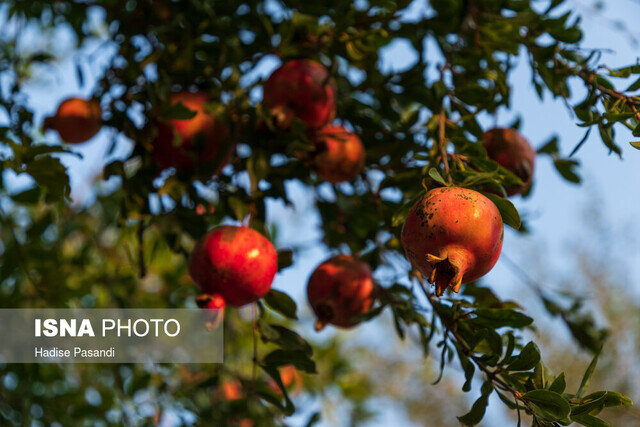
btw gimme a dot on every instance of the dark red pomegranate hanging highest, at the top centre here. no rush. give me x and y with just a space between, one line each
301 89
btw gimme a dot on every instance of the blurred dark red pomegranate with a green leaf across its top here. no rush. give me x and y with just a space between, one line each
201 139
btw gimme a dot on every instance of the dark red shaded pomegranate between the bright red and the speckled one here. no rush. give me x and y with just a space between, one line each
340 289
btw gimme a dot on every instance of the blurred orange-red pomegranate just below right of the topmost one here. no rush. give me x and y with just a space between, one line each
340 154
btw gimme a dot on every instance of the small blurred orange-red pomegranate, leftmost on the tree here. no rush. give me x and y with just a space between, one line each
76 120
